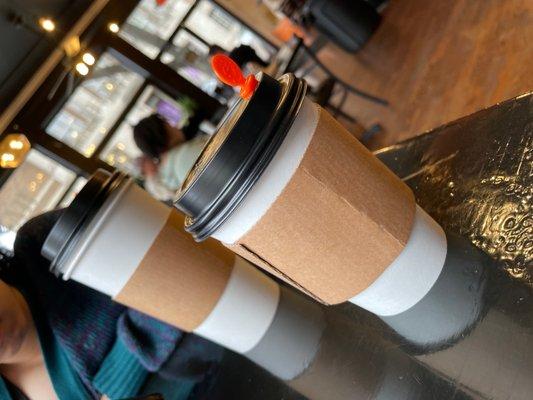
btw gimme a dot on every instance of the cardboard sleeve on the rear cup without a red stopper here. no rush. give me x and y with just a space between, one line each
179 281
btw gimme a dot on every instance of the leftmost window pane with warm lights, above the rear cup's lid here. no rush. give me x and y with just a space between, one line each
33 188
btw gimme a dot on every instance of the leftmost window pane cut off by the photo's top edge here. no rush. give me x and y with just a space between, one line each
150 25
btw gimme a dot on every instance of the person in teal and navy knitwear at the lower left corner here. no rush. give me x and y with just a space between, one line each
61 340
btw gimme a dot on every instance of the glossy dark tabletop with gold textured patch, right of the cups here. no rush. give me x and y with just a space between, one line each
475 177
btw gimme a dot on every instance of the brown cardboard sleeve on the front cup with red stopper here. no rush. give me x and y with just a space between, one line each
338 224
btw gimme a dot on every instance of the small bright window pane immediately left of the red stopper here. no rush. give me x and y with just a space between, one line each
190 58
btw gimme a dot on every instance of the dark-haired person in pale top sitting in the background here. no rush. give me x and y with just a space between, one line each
168 154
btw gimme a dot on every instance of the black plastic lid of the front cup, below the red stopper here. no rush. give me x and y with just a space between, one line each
238 153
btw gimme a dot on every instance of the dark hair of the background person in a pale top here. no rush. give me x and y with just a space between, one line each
151 137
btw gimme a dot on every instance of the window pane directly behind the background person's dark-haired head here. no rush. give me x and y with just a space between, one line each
121 151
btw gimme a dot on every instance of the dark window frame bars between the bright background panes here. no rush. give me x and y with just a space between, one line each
51 96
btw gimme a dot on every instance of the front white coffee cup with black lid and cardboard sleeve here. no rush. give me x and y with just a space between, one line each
284 185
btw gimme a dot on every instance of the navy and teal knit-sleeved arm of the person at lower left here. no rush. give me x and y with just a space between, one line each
90 327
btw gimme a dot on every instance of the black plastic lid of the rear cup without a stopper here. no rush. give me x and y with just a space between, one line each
67 230
